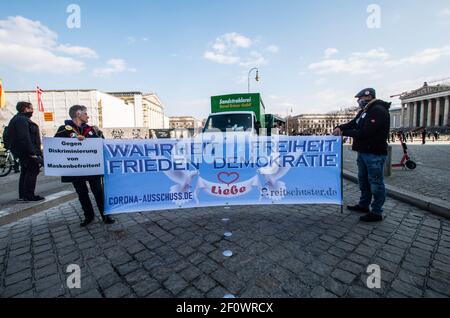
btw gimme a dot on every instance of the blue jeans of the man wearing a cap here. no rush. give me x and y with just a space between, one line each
371 181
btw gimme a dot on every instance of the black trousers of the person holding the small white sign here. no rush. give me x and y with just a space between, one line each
83 195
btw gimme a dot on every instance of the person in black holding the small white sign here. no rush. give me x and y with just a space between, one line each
78 128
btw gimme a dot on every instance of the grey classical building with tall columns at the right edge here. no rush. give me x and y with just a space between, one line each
425 107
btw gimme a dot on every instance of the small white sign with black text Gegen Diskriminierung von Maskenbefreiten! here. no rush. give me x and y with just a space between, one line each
71 157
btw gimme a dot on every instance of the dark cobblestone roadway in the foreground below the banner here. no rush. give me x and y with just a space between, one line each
278 251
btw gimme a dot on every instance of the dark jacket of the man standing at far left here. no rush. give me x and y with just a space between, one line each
24 137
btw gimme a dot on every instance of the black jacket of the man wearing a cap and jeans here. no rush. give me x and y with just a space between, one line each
370 128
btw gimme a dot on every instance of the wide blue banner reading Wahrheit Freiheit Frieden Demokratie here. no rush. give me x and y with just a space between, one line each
148 175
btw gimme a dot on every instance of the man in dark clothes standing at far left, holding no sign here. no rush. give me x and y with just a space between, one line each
25 144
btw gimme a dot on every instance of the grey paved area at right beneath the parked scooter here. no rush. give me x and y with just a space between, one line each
430 178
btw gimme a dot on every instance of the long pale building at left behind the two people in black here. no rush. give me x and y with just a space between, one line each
106 110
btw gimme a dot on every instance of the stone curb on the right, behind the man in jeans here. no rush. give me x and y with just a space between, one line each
435 206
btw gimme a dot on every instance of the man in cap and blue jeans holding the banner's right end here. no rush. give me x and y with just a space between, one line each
369 130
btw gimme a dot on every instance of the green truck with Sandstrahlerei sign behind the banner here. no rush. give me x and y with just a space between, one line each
236 113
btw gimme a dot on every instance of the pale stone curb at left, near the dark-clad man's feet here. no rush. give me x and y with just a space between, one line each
13 214
